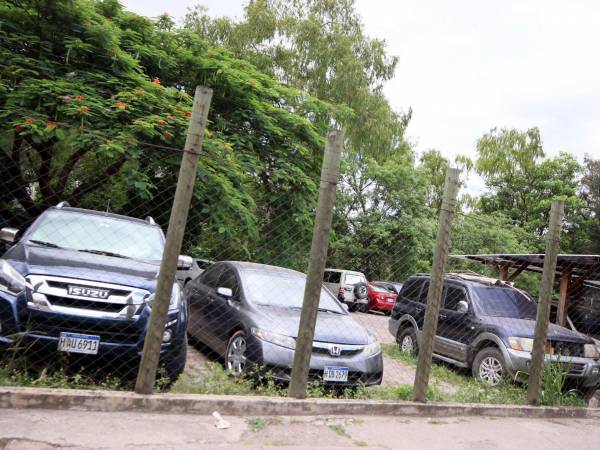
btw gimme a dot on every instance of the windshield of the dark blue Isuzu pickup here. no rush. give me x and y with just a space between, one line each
99 235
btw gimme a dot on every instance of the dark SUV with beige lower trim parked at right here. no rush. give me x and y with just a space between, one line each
488 326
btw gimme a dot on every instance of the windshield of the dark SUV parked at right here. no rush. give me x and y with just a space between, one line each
499 301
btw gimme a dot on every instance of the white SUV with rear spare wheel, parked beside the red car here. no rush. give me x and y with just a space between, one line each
349 286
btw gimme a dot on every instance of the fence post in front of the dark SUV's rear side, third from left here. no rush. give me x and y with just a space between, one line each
436 285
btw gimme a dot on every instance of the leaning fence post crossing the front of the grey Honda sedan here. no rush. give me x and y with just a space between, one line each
316 266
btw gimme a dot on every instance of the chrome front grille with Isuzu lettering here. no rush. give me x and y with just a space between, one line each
85 298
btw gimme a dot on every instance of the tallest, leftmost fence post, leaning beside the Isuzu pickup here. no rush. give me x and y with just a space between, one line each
179 212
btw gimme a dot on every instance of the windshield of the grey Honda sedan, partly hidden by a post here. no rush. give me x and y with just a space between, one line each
284 289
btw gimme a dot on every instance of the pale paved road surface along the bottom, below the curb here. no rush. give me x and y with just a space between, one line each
41 430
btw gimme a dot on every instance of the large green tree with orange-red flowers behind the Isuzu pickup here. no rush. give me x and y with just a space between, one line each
93 100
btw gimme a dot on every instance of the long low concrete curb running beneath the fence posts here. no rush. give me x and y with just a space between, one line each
111 401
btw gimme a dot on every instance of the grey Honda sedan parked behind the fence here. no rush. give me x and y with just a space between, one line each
249 313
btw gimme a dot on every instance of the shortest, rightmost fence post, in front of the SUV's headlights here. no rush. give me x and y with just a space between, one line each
536 370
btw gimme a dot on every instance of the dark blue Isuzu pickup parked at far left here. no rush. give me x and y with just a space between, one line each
83 282
